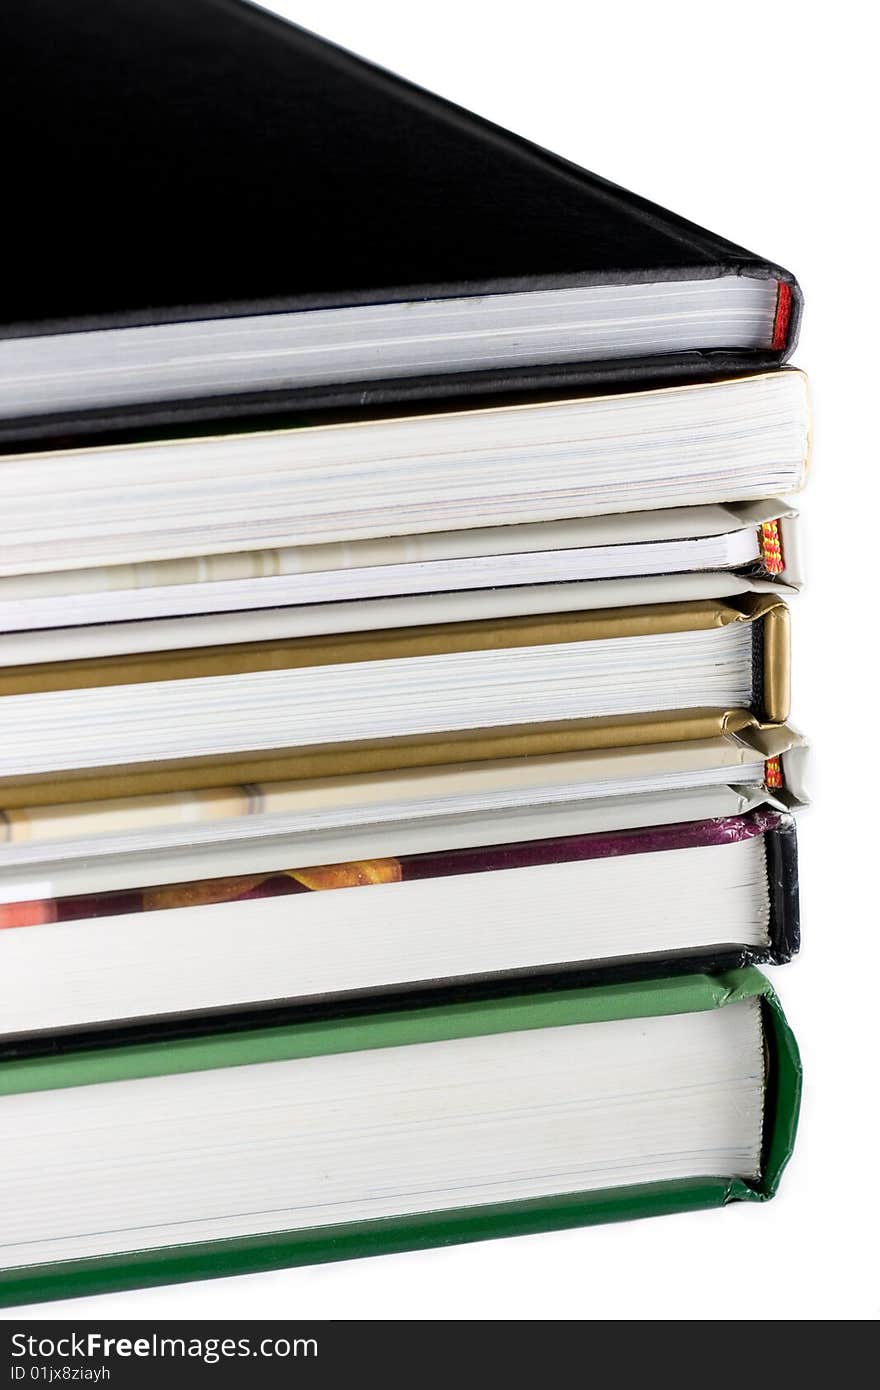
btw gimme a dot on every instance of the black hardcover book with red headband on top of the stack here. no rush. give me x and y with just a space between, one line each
379 244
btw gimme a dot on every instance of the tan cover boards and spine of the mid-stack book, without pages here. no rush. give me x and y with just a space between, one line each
469 746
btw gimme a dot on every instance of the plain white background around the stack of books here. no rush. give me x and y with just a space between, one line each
758 122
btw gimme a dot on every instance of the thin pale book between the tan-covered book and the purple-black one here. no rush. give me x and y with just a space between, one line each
173 837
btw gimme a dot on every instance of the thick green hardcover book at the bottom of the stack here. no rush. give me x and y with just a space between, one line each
326 1140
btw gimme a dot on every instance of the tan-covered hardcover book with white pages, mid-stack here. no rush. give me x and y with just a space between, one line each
364 703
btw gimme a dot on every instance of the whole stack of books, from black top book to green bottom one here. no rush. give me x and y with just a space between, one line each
398 529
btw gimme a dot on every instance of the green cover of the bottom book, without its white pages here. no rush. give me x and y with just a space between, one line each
651 999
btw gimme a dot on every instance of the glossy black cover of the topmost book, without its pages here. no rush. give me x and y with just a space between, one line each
202 159
